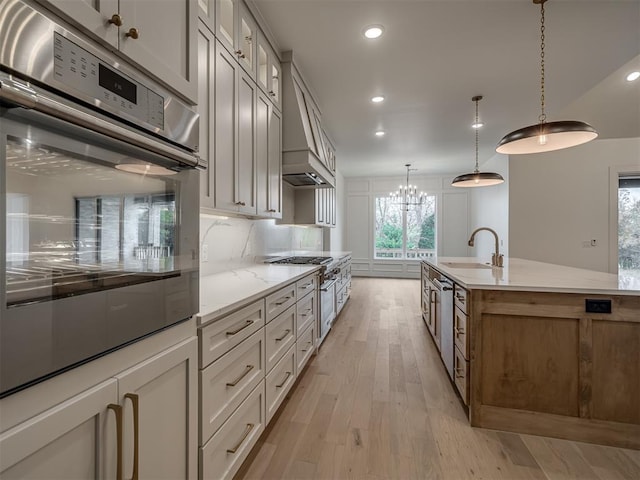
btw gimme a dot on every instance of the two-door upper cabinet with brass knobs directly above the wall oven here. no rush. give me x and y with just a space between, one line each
158 36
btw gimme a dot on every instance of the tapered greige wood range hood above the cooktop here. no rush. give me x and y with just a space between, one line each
308 156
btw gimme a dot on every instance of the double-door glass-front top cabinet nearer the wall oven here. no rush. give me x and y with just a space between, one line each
238 32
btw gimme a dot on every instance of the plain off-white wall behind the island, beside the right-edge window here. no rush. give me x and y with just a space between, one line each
560 200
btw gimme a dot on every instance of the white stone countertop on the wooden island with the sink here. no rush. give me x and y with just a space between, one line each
527 275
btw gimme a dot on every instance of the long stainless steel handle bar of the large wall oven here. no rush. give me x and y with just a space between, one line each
25 96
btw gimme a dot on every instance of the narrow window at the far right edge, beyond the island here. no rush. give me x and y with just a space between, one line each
629 228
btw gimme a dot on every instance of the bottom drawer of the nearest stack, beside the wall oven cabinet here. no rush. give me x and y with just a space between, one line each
222 456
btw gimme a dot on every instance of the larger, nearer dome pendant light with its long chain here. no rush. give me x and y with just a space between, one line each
545 136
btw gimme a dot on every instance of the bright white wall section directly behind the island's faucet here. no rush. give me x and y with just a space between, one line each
489 207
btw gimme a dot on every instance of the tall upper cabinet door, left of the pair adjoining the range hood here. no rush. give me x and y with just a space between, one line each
262 154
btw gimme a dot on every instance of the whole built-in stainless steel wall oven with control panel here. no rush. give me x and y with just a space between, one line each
99 201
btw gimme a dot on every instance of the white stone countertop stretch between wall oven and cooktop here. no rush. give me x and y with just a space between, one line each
227 291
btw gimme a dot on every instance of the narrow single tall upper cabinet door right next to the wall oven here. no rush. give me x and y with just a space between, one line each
206 76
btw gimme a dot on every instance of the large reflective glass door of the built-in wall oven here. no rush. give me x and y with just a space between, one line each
100 243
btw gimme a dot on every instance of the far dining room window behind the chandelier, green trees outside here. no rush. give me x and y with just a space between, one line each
405 232
